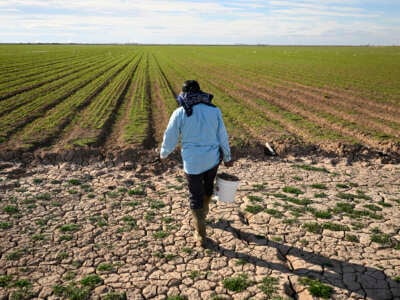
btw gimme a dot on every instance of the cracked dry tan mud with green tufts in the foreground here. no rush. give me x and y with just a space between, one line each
294 218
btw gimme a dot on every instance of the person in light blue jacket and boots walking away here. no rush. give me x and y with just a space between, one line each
204 144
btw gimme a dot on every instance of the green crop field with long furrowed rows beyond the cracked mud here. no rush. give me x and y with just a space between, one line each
109 98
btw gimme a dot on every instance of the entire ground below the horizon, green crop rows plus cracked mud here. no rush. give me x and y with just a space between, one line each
88 211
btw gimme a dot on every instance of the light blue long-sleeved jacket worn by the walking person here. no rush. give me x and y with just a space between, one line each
202 135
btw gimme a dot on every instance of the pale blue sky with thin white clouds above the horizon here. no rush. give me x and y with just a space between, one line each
273 22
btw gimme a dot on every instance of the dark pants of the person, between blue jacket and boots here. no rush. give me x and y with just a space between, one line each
201 185
